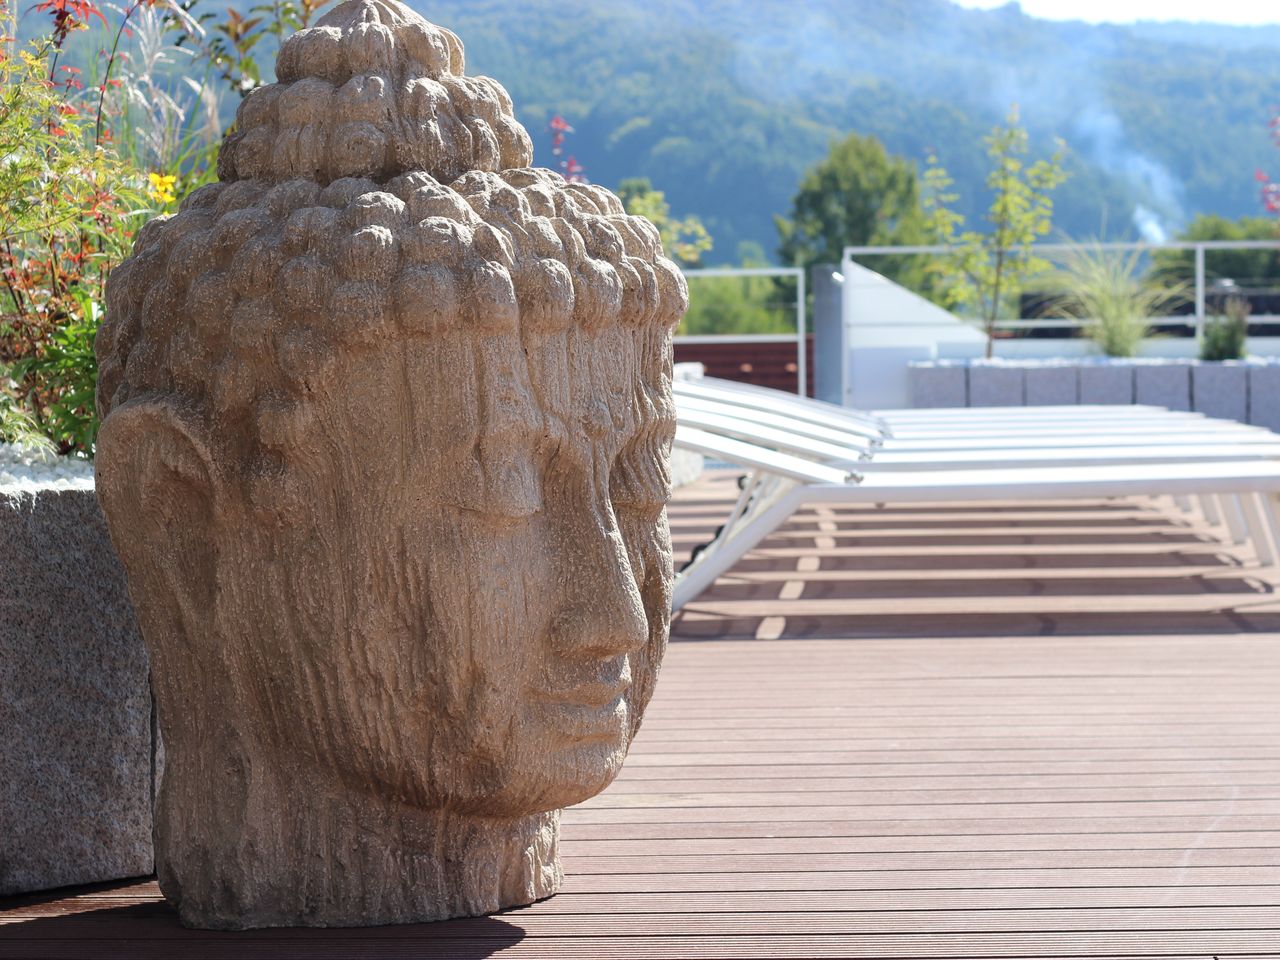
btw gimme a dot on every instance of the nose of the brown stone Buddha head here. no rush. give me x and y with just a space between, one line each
604 614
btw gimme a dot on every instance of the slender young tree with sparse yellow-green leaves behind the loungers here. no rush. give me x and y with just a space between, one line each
986 269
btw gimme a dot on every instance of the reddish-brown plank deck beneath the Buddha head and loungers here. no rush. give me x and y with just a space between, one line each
1013 732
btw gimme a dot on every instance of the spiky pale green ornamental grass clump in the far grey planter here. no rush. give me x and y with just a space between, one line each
1107 291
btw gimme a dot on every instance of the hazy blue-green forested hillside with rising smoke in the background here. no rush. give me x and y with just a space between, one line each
724 104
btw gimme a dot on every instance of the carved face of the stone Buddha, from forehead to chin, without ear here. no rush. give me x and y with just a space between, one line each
484 580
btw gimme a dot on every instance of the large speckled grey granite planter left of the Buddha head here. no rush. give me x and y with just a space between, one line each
75 701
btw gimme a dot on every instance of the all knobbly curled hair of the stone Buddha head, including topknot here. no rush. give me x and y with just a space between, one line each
373 196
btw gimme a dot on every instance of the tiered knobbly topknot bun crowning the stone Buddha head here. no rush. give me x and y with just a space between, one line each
373 90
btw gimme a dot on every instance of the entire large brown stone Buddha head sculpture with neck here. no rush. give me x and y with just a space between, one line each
387 417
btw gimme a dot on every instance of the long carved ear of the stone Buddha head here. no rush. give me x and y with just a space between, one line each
158 490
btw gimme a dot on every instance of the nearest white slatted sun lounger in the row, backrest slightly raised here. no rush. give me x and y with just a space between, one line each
781 483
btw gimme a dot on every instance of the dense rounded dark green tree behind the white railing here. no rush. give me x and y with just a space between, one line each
860 195
